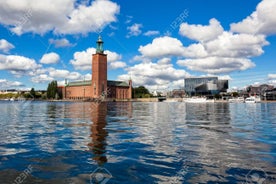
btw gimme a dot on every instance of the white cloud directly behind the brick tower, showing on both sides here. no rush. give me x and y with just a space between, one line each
83 59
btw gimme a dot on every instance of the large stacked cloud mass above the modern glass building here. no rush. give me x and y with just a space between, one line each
218 51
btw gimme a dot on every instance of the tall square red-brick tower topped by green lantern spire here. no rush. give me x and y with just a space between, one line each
99 71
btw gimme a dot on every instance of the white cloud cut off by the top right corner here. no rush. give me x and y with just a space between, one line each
261 21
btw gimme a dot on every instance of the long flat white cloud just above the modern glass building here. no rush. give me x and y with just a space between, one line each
217 65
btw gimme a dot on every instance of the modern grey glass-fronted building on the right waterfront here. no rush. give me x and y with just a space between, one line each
204 86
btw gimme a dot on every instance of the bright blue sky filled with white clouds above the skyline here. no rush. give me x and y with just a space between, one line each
155 43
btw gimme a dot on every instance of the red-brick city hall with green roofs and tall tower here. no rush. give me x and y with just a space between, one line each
99 86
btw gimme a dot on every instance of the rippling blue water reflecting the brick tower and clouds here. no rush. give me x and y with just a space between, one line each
124 142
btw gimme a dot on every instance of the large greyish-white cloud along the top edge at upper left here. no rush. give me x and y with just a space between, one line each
61 17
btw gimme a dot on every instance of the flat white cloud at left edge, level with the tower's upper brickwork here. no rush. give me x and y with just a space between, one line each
17 63
